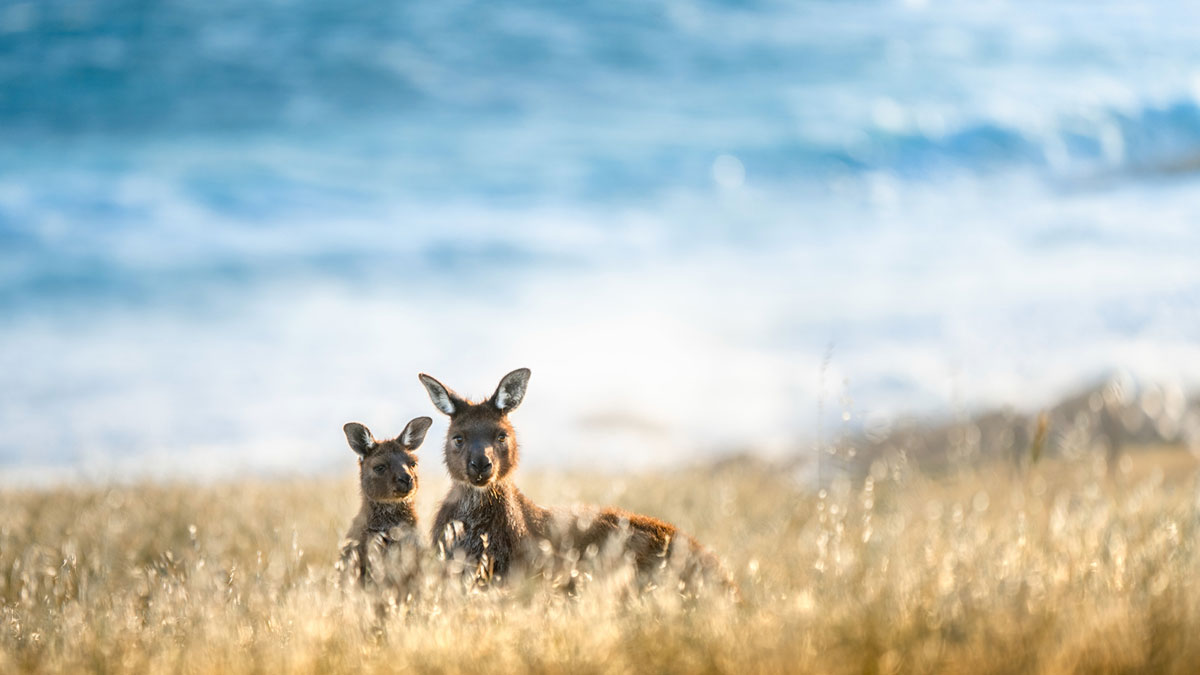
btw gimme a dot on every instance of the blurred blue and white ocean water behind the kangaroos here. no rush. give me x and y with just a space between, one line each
229 228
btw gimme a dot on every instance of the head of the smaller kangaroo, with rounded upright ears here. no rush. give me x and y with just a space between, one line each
388 469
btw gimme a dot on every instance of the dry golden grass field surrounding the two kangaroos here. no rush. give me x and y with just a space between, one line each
1066 569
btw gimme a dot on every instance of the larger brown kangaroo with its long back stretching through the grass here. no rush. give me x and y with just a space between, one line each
497 530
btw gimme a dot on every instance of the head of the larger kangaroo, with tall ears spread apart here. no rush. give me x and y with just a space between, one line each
481 444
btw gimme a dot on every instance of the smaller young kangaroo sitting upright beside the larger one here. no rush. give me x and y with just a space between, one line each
386 527
